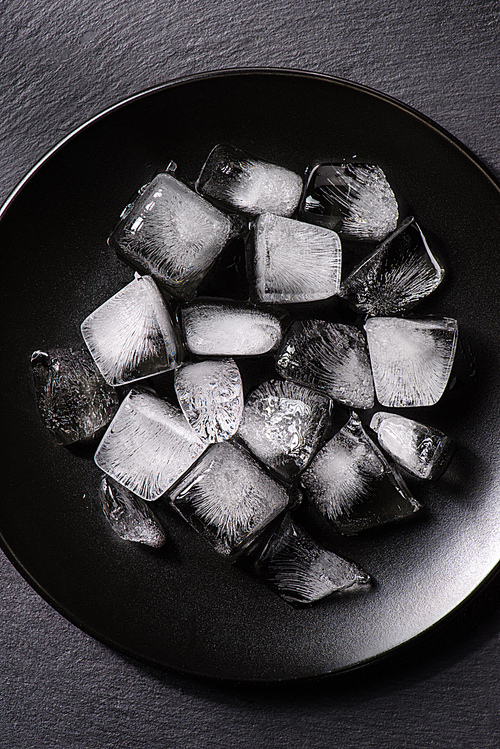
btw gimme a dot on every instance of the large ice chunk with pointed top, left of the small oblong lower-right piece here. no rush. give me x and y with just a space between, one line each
350 483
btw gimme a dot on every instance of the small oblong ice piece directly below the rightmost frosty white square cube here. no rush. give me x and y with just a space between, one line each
423 451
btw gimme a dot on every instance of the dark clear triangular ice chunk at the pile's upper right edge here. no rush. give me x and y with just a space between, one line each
400 273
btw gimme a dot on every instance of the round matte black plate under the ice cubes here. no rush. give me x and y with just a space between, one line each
184 607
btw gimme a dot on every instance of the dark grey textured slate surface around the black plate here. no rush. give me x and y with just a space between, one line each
61 63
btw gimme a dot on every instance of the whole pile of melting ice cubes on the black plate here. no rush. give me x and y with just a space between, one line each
248 471
